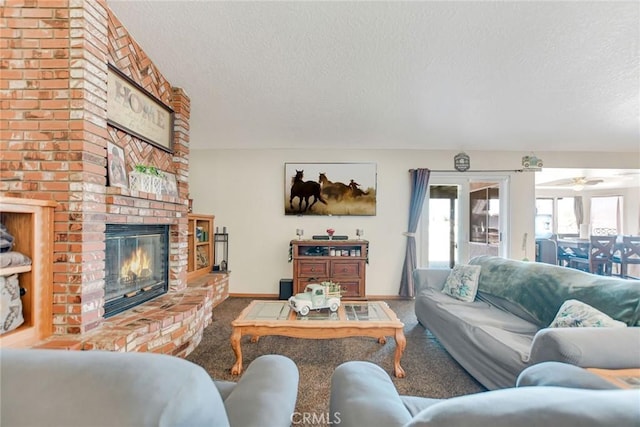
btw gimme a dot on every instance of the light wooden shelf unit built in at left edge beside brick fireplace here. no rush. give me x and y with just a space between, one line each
30 222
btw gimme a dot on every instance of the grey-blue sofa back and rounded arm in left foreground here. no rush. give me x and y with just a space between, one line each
99 388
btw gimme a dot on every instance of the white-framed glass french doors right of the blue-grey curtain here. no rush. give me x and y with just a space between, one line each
463 217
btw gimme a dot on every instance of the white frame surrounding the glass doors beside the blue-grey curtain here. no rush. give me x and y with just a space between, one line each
463 181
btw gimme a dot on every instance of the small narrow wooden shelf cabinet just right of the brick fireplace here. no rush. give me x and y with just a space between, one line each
200 245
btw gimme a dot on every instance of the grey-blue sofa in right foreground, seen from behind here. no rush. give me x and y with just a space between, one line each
363 394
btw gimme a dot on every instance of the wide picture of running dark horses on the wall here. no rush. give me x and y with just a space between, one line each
330 189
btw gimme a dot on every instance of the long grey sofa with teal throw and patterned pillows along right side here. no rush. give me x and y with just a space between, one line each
505 328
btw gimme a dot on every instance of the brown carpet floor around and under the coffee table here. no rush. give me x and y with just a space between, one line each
430 370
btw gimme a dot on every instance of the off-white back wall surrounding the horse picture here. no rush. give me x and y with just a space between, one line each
244 189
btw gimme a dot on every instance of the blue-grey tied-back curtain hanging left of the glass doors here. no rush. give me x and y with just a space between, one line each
419 187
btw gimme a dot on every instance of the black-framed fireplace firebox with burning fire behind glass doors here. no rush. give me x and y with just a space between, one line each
137 265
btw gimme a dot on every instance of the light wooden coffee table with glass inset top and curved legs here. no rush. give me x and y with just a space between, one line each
353 319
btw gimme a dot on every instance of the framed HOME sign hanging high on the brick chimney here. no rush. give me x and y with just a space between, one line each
137 112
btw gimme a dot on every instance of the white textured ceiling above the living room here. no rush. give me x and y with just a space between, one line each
482 75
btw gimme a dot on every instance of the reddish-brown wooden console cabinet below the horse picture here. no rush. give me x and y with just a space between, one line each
340 261
